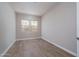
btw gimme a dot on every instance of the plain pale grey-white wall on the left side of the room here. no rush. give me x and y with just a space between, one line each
7 26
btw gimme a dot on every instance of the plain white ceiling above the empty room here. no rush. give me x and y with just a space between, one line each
33 8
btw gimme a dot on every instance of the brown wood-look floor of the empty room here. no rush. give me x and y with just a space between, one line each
35 48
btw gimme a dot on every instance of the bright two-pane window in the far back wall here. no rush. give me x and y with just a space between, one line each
28 25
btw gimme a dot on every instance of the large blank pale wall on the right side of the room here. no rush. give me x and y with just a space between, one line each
59 26
